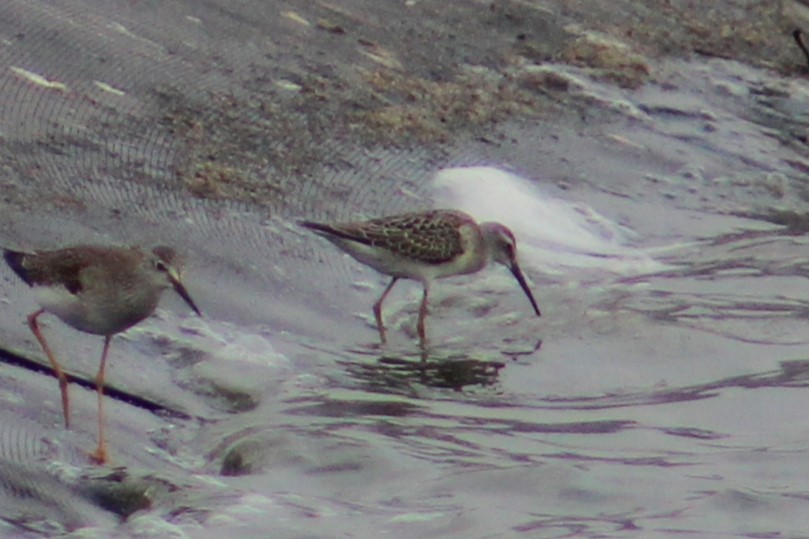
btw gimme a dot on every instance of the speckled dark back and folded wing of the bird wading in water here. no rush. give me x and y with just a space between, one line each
432 237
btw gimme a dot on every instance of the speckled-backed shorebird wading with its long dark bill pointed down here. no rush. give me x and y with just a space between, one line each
424 246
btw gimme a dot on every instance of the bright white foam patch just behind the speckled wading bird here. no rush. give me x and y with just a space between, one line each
553 235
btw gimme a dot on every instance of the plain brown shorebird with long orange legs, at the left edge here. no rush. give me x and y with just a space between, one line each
97 290
